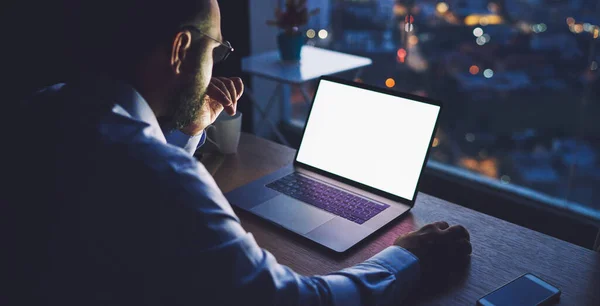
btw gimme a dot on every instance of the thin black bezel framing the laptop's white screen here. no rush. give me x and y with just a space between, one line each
350 182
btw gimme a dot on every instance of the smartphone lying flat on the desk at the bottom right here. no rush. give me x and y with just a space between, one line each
526 290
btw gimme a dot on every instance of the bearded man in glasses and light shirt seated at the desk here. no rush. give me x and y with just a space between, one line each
118 212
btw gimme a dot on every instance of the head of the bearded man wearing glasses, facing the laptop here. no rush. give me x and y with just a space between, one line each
163 48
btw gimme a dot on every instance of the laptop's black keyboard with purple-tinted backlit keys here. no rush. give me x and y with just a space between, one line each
333 200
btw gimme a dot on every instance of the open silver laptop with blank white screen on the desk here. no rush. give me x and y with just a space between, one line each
357 168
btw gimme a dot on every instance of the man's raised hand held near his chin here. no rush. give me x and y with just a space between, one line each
221 94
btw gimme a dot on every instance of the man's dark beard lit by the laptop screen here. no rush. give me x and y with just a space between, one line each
187 101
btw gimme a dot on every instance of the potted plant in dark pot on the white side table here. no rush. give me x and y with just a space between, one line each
290 40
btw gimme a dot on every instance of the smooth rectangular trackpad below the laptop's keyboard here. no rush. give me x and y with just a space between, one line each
292 214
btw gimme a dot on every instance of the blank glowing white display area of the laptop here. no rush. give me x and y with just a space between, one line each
372 138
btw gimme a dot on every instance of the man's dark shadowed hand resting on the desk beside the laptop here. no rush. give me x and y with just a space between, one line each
438 246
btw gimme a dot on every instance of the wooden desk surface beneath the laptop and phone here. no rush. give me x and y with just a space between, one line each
501 250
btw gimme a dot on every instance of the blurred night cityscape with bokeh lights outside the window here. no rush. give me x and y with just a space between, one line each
519 79
